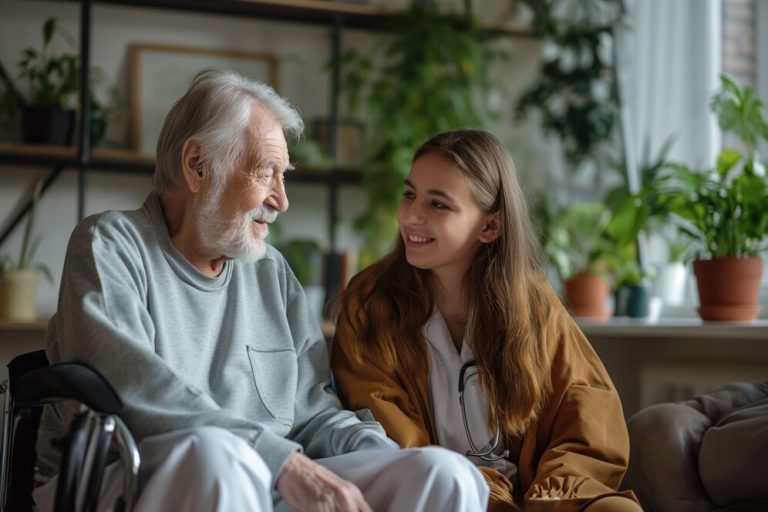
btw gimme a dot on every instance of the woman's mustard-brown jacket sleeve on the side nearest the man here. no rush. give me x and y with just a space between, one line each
366 385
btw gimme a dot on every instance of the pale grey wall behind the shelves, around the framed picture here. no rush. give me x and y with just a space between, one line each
302 51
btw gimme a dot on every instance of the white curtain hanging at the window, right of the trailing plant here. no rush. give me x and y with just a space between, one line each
668 66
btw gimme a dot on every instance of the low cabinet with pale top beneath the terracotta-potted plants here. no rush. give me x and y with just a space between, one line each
677 358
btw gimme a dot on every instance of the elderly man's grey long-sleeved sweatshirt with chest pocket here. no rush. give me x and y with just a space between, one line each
240 351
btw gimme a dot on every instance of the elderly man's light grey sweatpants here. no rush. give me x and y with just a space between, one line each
209 469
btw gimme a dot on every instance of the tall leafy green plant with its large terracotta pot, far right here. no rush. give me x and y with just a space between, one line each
723 210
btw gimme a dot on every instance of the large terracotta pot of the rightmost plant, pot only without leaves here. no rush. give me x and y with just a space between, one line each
729 288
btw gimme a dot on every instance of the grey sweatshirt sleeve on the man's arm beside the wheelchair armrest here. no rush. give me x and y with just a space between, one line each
103 321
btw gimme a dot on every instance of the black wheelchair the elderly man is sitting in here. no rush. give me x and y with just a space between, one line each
31 384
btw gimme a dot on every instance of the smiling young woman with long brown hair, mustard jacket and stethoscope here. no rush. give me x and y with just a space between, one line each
456 339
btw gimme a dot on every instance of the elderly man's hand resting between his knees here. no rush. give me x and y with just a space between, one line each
307 486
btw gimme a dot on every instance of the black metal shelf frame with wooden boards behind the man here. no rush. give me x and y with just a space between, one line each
81 158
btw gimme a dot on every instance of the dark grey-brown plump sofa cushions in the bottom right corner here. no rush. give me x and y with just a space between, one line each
704 454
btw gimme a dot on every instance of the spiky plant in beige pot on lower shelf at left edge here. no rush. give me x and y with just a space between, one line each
19 279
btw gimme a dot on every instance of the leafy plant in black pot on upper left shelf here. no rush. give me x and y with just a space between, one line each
52 82
